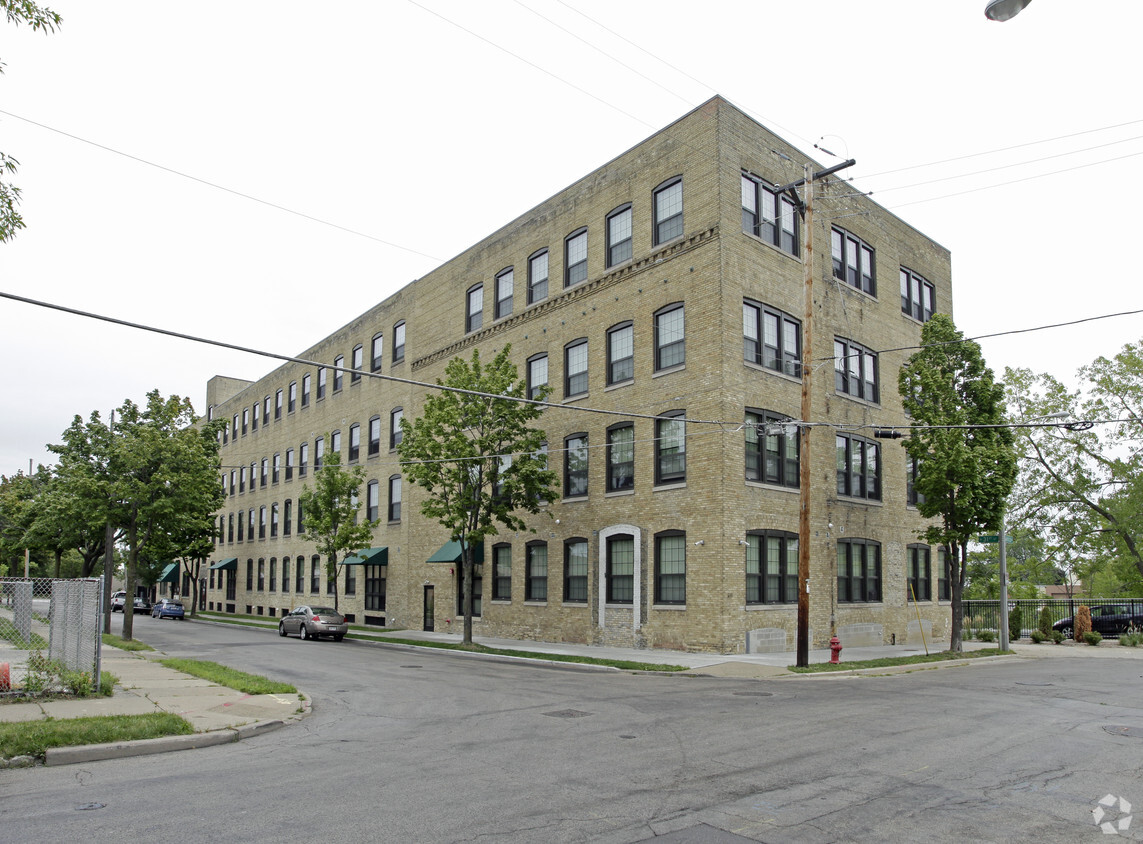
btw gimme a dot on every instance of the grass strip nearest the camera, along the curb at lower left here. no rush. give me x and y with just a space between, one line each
33 738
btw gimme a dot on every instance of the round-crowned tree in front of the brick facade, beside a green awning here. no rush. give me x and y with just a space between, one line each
476 457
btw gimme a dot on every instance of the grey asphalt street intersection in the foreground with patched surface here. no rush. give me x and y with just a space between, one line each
421 746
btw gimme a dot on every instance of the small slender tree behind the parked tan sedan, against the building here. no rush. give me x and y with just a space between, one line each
332 519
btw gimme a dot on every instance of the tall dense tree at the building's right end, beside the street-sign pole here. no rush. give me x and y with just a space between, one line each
966 455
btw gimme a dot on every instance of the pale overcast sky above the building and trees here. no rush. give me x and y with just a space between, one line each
157 139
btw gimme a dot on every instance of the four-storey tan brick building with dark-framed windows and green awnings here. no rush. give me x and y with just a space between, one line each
662 300
